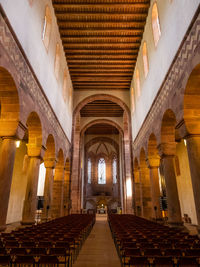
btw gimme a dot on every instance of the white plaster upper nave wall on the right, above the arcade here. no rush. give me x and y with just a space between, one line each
175 18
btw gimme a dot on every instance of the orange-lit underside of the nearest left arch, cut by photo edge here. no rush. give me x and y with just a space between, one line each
9 104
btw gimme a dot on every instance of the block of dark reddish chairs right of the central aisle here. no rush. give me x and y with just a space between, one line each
140 242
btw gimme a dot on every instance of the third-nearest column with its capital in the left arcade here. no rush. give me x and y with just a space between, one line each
48 188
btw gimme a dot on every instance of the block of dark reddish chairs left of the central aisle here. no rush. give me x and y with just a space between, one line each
53 243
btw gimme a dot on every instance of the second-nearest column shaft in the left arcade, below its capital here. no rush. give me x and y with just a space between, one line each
30 202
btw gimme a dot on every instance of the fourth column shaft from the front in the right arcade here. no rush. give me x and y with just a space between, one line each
146 192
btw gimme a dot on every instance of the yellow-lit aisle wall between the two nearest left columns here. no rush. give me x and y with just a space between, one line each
18 186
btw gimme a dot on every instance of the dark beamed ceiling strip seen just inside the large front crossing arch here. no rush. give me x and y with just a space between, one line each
101 108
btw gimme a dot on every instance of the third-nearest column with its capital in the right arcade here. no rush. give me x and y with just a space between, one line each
153 165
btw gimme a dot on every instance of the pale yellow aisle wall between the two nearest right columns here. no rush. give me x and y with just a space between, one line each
184 184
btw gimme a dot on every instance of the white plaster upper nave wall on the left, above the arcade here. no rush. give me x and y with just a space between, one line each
27 22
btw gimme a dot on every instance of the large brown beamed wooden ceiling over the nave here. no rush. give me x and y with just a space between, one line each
101 40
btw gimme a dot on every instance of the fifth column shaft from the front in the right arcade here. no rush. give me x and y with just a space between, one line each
138 196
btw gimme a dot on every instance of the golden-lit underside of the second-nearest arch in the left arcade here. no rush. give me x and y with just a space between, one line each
34 134
